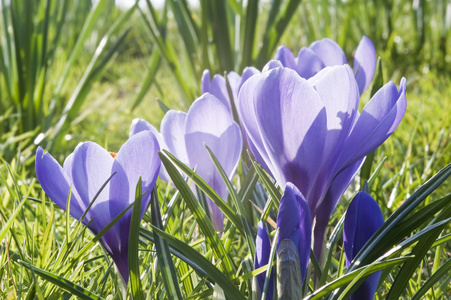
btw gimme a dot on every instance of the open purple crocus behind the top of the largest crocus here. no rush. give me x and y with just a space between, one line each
325 53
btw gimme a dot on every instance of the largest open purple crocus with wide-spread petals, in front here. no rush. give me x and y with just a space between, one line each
310 133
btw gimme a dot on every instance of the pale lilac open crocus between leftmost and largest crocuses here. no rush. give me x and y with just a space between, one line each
208 122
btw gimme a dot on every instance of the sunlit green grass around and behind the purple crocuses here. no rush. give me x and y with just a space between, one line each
45 254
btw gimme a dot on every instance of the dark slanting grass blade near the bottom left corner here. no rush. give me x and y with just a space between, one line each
63 283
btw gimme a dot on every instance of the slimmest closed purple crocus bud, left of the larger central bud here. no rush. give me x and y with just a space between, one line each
262 251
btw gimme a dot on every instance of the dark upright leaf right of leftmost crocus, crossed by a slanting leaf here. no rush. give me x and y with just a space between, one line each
165 262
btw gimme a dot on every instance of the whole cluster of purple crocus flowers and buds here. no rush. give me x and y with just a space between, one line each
300 119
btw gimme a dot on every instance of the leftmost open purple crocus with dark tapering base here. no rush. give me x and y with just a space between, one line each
83 174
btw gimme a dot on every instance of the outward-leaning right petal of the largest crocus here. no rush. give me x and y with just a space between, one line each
376 123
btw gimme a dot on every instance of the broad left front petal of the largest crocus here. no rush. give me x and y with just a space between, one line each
282 102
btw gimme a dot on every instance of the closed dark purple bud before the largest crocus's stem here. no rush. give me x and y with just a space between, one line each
294 223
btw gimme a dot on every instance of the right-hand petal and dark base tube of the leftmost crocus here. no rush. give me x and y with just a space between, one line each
137 158
